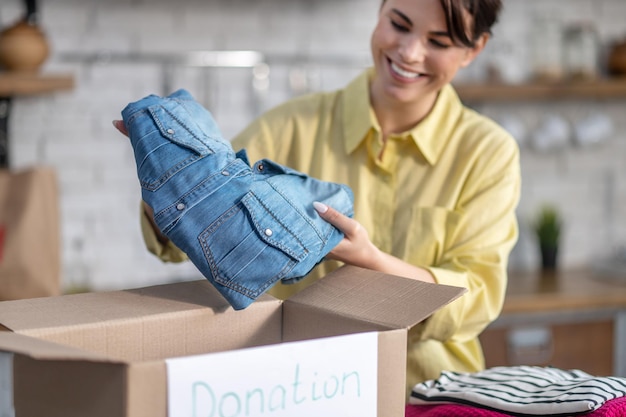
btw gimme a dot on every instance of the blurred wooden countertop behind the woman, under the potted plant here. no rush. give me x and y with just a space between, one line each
576 289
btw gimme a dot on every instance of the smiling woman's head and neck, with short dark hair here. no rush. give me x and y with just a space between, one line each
417 51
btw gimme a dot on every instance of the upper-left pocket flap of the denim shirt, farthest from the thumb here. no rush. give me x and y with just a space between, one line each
177 131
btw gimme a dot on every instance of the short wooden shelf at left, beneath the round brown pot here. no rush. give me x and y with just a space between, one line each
14 84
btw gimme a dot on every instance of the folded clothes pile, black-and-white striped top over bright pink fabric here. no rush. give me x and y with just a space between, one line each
519 391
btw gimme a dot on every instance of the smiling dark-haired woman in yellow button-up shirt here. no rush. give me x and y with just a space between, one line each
435 184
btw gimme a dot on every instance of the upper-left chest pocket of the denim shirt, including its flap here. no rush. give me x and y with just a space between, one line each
168 149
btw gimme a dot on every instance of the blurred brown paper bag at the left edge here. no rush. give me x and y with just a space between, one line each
30 261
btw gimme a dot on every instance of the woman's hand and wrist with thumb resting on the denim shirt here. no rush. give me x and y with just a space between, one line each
357 249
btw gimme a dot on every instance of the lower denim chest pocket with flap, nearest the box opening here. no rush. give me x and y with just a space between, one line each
248 249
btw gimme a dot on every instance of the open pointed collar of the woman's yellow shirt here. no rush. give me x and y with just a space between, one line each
430 135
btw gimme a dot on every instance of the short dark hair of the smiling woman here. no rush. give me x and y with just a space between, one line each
483 13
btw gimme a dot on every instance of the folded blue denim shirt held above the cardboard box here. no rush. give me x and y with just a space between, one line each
243 227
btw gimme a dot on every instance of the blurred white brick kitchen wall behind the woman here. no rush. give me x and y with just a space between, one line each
573 145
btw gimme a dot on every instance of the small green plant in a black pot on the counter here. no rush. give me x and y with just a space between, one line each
548 229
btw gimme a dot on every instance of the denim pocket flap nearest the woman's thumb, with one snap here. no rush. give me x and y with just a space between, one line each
271 230
